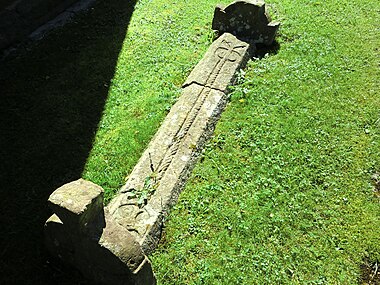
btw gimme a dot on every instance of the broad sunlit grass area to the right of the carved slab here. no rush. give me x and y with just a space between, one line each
283 193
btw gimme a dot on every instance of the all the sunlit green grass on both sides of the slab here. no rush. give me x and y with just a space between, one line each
283 192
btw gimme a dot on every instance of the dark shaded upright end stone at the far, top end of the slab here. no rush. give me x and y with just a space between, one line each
246 19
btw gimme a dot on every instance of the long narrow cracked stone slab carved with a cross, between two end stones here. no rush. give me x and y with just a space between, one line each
159 176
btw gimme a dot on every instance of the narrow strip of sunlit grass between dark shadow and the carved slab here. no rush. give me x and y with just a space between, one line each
163 43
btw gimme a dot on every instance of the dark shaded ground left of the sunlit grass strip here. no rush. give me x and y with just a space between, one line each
51 100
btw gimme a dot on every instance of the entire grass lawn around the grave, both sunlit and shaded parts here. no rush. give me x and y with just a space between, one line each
285 192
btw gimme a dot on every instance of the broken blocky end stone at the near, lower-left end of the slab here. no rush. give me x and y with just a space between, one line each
83 234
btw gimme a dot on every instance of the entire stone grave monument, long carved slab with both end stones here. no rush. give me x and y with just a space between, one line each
110 244
